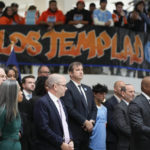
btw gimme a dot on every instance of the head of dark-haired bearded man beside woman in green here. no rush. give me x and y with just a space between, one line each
28 83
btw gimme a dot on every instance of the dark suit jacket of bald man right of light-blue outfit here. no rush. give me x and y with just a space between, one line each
111 125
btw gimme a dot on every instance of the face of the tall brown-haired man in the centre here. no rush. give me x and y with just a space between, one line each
77 73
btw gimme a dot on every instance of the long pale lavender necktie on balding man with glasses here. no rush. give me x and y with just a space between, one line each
64 122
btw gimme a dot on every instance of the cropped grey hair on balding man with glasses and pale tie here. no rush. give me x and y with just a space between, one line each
53 79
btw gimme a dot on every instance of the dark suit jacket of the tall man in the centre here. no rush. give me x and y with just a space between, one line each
78 110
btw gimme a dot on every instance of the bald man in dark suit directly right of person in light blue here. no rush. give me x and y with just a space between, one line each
111 139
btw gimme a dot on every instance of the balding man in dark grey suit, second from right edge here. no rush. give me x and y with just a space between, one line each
122 119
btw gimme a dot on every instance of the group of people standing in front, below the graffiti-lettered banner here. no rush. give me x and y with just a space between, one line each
49 113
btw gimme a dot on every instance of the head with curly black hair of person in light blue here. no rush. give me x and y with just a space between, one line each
99 92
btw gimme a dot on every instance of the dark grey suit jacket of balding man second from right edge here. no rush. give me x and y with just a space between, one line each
123 126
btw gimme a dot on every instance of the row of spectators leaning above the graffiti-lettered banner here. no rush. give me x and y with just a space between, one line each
137 20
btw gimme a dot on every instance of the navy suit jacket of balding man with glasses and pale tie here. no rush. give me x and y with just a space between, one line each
48 124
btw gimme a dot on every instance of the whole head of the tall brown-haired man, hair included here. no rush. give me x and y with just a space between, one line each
75 71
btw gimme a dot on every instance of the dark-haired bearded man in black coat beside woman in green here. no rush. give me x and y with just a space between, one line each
28 84
